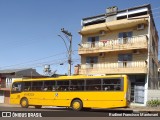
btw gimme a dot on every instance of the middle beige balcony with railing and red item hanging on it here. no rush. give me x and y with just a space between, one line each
135 42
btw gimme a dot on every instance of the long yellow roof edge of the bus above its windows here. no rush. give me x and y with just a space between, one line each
69 77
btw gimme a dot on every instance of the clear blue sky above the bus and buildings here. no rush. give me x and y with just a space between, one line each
29 30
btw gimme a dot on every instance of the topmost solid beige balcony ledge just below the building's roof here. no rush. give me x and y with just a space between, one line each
113 25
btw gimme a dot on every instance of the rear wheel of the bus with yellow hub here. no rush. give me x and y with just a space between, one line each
77 105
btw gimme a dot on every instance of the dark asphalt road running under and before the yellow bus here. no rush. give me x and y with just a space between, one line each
66 113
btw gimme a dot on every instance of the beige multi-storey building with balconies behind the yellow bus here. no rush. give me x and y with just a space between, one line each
122 42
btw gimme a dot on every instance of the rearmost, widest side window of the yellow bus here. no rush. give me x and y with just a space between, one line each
112 84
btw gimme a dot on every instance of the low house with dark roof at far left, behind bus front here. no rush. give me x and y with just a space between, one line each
8 76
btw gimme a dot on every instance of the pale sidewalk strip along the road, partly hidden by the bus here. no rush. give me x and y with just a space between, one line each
133 108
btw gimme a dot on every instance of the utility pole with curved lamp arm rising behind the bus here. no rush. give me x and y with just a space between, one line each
69 50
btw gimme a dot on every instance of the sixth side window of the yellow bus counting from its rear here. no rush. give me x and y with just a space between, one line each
37 86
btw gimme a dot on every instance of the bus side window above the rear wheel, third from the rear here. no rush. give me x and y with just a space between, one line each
77 85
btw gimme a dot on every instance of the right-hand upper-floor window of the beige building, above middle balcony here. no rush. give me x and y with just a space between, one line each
124 37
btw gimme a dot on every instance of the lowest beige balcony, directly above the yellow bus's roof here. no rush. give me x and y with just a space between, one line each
129 67
